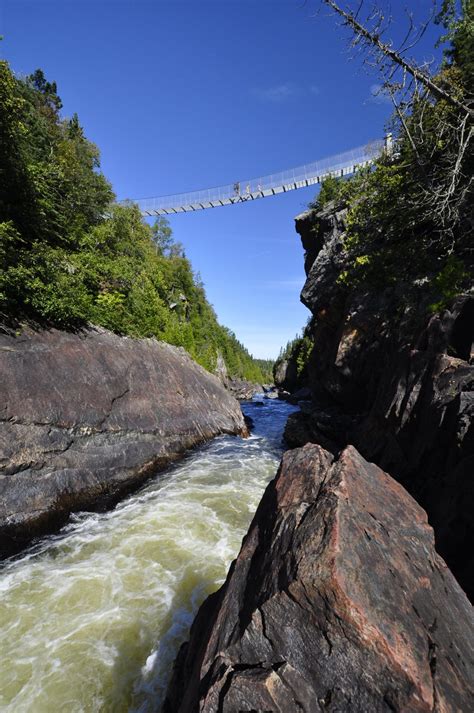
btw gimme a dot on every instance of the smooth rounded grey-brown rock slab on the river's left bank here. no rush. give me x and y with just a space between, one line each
86 417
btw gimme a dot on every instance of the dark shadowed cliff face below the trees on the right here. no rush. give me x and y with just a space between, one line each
397 383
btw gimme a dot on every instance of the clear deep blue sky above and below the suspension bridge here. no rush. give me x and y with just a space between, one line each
187 95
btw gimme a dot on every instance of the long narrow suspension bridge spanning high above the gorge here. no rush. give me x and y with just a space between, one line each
342 164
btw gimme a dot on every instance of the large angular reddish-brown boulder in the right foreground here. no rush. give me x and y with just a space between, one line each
337 601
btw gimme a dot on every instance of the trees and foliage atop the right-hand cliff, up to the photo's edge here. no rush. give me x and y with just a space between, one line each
409 217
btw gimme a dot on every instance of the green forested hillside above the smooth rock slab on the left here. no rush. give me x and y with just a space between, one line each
70 256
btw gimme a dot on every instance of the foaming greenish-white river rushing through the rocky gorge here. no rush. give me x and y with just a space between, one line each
91 619
